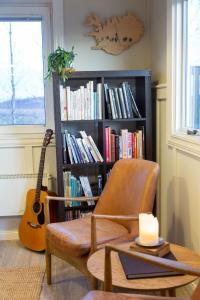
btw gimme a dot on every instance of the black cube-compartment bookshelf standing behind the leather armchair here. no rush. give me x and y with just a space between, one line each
141 80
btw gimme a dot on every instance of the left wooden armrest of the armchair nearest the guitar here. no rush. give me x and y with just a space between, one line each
54 198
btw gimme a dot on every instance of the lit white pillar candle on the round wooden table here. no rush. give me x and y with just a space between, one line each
148 229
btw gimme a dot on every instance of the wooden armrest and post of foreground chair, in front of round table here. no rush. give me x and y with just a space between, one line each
162 262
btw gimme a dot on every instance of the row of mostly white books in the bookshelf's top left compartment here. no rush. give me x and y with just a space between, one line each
82 104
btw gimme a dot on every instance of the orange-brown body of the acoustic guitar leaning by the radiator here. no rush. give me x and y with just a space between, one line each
32 227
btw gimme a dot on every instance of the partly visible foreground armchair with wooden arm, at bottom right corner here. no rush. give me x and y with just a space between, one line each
108 295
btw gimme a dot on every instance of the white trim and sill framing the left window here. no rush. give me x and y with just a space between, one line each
20 135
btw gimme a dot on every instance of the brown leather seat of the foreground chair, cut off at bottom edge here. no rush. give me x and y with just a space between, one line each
99 295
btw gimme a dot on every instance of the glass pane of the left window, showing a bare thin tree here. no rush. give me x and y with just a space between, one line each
21 72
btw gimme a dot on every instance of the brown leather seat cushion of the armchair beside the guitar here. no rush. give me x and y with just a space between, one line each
74 237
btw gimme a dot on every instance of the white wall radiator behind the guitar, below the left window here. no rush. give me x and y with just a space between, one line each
13 189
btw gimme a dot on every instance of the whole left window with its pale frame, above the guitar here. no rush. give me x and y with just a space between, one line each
26 104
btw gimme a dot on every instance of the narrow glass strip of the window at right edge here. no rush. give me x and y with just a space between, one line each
192 99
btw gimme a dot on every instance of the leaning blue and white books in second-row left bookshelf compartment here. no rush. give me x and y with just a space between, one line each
80 150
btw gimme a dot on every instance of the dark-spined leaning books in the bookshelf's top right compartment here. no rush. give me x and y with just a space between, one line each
120 102
